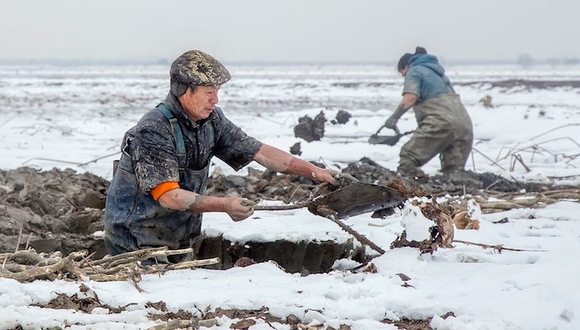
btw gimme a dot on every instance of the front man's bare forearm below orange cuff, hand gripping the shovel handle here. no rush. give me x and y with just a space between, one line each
188 201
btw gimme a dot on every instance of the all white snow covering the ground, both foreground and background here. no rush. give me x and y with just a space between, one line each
75 117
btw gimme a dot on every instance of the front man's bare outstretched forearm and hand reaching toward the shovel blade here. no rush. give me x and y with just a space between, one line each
280 161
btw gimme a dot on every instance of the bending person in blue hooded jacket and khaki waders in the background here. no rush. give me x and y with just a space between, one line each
444 126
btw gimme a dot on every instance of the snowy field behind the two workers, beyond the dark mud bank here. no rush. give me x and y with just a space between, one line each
54 116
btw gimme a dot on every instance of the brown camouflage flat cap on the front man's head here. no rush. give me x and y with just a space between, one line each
197 68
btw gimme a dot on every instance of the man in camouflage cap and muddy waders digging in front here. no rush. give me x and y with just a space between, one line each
156 197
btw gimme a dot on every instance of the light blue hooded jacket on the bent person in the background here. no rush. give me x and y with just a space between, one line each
426 78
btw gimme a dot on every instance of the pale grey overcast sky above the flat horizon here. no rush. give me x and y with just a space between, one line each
258 31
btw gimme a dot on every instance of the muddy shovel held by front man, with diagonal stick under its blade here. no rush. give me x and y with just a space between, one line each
340 202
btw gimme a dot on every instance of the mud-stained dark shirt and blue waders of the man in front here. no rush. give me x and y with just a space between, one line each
133 219
